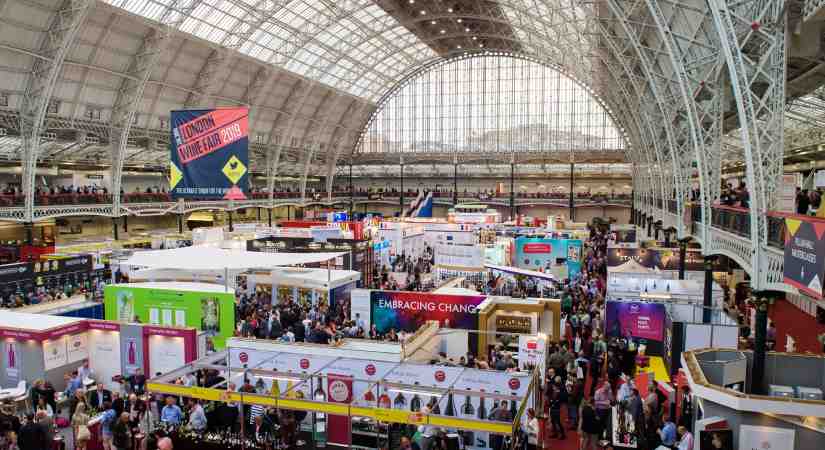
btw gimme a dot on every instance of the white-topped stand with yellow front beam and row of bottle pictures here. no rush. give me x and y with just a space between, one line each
358 384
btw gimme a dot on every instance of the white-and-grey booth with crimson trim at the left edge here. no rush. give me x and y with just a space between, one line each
47 347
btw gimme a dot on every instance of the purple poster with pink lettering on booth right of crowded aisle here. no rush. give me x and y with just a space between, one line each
637 320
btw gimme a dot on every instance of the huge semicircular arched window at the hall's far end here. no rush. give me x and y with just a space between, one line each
490 103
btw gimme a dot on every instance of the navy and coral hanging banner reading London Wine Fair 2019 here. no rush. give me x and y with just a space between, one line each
210 153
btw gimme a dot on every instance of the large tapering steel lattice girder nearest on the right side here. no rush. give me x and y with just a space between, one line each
752 39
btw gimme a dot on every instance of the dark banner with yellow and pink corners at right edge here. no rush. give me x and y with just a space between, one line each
805 254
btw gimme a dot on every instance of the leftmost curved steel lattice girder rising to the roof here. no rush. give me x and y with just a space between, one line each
59 40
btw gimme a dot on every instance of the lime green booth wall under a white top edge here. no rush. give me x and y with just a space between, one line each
206 307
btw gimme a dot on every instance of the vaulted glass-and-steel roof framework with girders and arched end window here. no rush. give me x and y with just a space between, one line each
680 88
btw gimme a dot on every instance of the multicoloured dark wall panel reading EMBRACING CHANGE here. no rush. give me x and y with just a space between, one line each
408 311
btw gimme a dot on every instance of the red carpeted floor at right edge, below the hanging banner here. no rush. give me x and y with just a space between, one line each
802 327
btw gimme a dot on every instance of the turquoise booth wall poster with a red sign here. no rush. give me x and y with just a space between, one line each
542 254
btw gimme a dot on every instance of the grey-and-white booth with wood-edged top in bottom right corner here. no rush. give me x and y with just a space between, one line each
789 416
